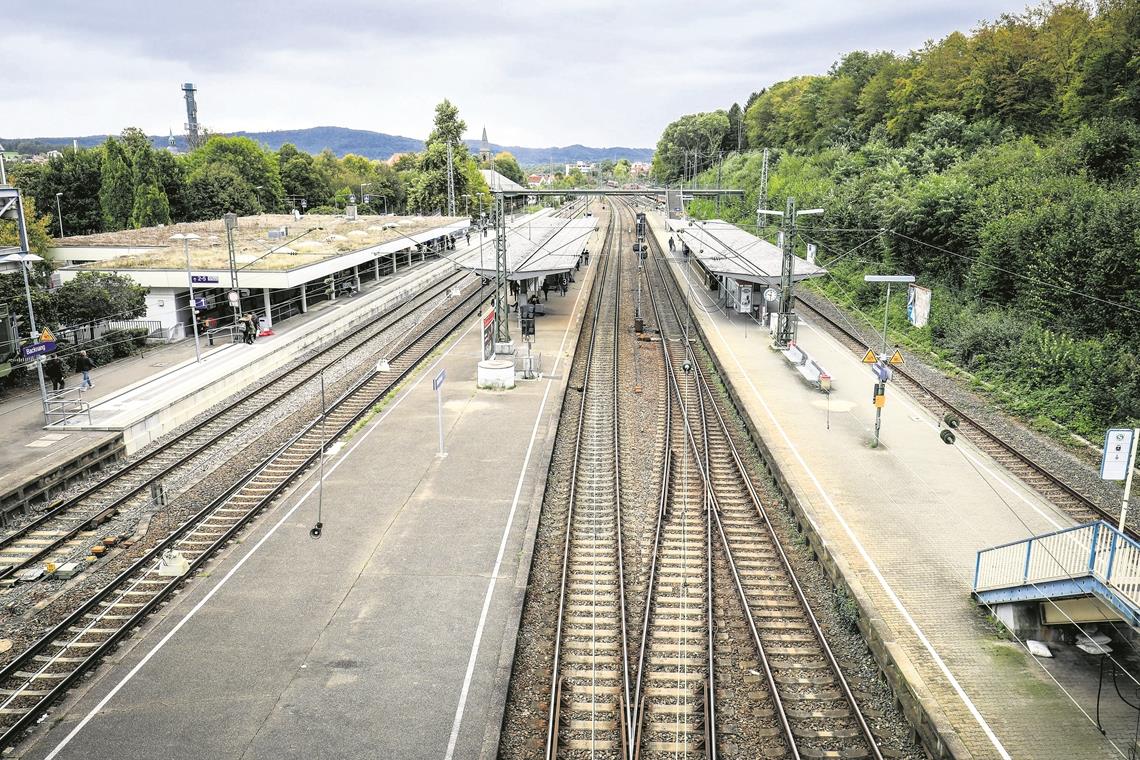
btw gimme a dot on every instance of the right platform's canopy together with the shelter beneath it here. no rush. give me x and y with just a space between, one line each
737 264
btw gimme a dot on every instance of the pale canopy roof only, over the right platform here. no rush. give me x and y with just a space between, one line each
728 251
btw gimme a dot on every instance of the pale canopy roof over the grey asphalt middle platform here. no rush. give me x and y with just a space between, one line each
547 246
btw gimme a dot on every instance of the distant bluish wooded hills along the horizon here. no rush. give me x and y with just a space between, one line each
373 145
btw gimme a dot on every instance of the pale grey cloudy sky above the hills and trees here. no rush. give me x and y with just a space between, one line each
597 72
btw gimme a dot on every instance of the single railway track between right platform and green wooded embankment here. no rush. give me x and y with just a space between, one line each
1031 472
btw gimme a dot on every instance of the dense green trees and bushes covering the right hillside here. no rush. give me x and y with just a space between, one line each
1001 168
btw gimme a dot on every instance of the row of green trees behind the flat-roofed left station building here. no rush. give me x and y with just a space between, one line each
127 183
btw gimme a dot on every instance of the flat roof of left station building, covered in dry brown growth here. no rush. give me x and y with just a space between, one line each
310 241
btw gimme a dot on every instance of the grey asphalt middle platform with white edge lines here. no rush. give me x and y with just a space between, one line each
393 635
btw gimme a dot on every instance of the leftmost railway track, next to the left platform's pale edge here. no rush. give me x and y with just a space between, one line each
71 525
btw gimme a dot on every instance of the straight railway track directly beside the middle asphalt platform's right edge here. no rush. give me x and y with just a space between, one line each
590 687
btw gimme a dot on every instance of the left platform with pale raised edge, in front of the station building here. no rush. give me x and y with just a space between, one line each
136 402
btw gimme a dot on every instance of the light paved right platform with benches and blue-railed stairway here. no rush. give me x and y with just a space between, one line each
902 525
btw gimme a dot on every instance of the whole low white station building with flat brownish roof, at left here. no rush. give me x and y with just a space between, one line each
286 265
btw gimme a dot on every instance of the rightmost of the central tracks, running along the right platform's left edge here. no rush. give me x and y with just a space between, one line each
813 710
